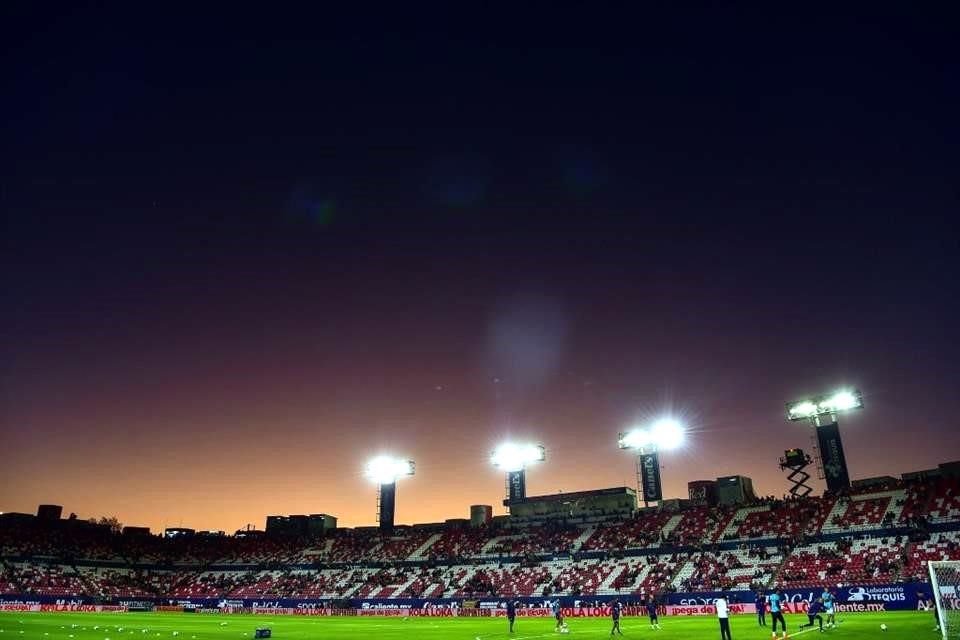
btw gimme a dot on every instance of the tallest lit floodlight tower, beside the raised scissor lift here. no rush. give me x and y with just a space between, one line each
821 412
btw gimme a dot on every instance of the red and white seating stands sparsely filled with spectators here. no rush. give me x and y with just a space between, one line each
878 535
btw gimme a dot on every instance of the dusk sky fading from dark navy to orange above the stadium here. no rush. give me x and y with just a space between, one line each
243 252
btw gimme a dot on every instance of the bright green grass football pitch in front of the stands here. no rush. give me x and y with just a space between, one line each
182 626
